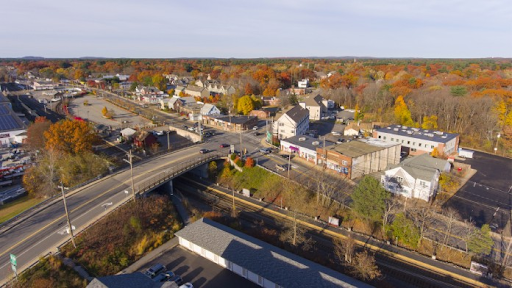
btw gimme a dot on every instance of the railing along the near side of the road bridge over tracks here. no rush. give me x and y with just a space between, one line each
170 173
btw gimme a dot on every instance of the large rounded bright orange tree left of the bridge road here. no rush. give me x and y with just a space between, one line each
70 137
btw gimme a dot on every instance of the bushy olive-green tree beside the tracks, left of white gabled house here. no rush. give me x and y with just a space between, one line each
369 199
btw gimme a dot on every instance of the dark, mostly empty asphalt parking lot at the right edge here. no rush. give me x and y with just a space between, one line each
486 198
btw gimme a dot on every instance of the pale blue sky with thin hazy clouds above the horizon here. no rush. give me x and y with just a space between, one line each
257 28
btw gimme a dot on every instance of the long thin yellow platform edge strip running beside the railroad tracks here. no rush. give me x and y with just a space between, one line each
360 243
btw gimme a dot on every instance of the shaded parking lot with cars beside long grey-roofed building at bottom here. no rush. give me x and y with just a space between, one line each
198 270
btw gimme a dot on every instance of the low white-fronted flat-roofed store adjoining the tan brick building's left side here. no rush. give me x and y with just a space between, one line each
304 146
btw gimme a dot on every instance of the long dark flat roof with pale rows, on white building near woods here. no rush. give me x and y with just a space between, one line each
429 135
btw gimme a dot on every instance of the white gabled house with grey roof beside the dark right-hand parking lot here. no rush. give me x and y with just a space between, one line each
415 177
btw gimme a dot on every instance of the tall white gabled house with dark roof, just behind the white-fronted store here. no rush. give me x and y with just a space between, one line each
294 122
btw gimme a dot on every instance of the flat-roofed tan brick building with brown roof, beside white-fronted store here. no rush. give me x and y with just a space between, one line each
359 157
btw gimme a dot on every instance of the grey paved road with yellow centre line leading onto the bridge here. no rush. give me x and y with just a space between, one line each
43 232
